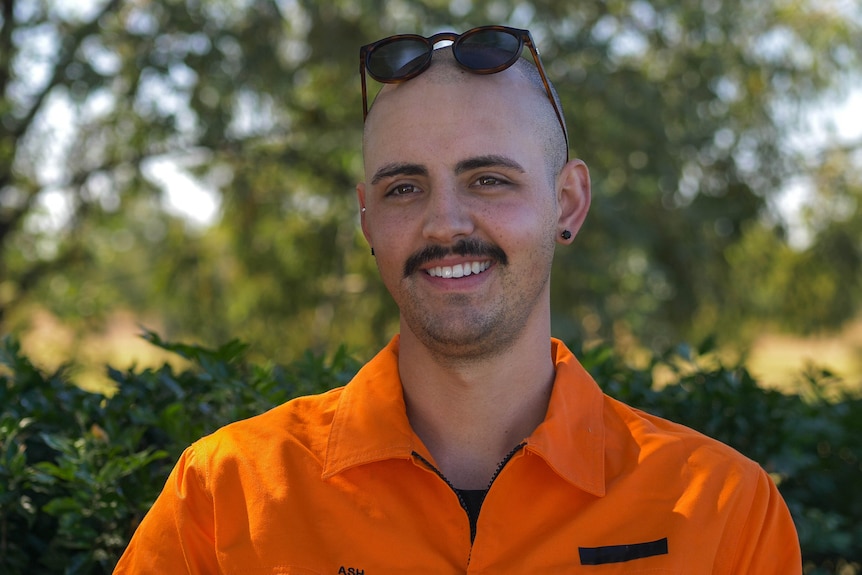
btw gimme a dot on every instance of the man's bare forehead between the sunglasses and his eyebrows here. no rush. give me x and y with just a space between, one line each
451 111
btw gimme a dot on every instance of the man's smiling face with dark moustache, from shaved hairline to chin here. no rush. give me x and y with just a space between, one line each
461 209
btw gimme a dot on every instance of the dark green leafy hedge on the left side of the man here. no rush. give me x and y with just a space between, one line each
78 470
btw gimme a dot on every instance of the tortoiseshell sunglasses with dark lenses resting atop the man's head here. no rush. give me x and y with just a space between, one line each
482 50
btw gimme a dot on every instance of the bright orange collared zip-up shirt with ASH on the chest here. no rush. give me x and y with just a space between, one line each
336 483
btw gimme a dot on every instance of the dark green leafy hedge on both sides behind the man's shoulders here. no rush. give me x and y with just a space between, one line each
78 470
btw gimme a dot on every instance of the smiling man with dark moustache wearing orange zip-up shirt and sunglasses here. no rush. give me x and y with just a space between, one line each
474 442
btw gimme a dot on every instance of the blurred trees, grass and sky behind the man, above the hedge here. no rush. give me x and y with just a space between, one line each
189 166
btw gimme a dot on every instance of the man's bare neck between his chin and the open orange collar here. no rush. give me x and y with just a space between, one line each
471 414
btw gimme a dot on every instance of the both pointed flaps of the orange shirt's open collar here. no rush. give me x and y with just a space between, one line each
370 423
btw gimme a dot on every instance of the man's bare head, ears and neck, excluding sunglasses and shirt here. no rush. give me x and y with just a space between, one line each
458 177
